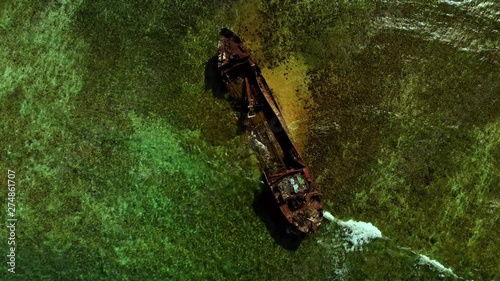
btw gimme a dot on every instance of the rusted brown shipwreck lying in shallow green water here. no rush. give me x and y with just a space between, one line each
283 167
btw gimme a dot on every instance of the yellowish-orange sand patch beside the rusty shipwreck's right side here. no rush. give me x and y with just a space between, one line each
288 83
